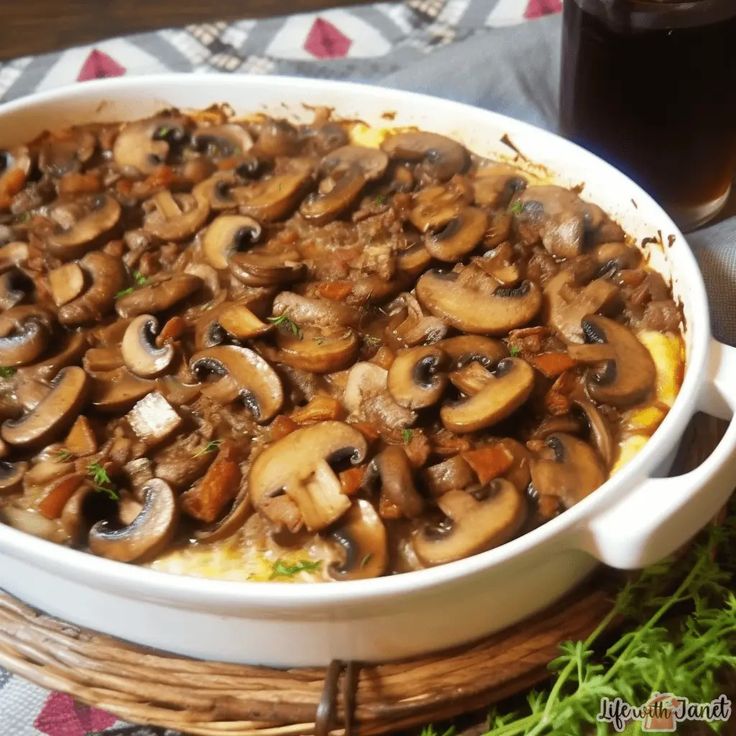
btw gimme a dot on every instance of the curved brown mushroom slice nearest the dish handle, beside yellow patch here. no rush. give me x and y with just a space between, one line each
629 376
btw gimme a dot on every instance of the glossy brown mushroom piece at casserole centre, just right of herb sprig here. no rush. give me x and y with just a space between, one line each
317 351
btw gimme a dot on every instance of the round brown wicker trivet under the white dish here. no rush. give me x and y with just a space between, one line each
210 699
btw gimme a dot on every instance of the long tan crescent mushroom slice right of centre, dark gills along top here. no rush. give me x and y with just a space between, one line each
467 307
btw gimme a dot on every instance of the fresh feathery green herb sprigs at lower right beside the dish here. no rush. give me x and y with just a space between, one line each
677 624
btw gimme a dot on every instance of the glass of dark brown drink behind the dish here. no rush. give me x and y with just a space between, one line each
650 85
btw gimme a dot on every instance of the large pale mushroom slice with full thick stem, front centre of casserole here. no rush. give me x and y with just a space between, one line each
299 465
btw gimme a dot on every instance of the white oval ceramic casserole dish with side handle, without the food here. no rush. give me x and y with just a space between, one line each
633 520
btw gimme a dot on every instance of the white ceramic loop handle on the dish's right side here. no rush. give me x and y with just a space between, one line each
663 513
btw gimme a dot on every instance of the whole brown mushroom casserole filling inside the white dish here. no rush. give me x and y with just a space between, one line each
252 349
